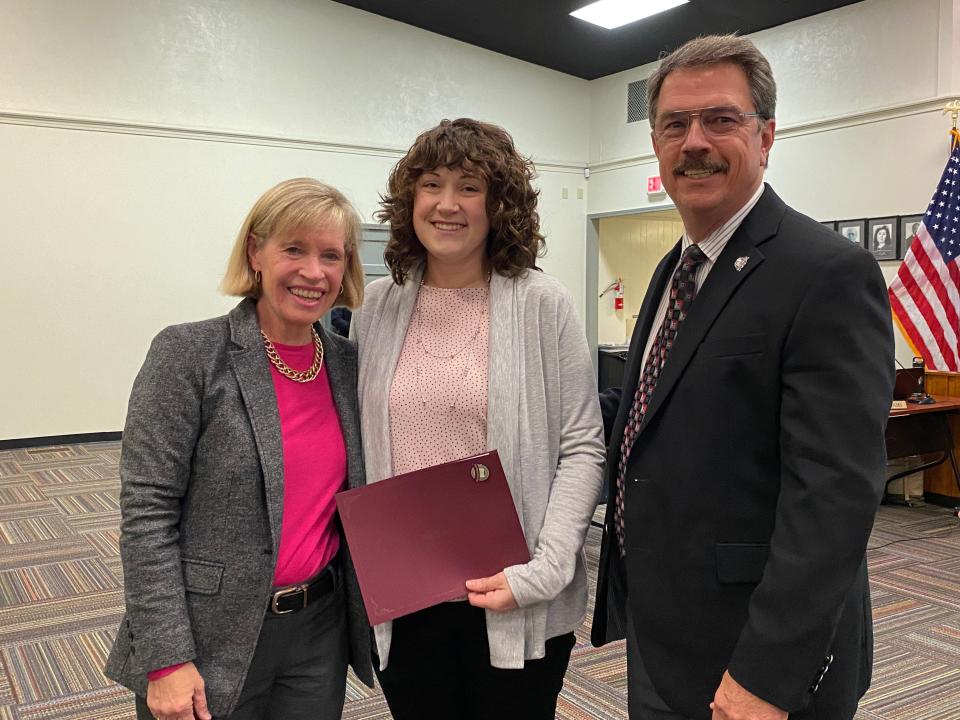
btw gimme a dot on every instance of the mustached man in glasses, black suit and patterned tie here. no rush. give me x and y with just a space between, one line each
746 452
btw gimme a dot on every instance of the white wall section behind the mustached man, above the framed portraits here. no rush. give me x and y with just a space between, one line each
860 130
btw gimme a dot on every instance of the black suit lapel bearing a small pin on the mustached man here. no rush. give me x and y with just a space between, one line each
729 271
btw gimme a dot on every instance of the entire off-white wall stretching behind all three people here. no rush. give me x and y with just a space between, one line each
135 136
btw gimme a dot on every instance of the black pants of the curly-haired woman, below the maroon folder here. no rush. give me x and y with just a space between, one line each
439 667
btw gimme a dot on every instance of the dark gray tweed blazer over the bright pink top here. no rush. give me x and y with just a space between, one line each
202 502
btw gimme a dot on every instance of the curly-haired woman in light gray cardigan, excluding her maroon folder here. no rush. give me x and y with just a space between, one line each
468 347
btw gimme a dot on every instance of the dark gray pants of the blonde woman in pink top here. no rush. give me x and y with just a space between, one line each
299 669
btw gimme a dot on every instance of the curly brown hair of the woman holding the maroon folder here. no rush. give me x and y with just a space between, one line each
515 241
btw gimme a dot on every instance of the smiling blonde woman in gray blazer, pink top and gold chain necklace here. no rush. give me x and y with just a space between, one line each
214 473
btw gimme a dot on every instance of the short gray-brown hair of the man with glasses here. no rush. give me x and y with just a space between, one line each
714 50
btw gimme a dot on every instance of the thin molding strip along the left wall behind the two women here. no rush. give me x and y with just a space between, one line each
235 137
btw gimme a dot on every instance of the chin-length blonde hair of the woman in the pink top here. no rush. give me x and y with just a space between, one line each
296 203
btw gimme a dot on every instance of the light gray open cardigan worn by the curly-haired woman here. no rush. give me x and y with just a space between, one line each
543 418
